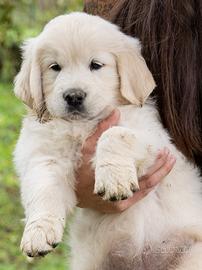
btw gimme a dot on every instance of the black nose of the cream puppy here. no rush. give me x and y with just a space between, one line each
74 97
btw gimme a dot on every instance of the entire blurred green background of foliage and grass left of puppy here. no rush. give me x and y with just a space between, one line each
19 20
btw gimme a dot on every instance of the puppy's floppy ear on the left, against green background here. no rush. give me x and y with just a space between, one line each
28 85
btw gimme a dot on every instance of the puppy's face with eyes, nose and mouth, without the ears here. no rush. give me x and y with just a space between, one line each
78 83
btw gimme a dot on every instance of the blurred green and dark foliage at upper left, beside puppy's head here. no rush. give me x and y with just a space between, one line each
22 19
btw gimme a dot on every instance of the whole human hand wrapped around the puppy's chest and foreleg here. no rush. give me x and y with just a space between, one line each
85 175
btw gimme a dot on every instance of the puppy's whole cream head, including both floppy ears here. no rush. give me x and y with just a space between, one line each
79 66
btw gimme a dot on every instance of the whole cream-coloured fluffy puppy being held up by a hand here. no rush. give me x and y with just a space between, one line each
73 74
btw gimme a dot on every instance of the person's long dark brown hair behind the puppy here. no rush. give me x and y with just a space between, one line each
171 36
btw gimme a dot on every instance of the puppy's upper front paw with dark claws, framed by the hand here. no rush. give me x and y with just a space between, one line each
115 182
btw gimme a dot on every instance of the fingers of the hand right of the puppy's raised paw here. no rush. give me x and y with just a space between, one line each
163 165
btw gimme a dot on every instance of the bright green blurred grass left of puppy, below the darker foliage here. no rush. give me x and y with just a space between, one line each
11 212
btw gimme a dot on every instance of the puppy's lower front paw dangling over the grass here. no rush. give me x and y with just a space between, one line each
41 236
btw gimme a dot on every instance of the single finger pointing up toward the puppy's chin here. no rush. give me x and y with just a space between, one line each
90 143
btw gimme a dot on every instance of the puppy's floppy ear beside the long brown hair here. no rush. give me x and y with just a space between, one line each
136 79
